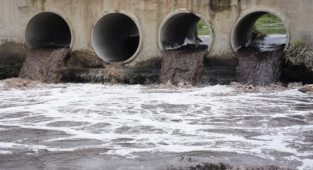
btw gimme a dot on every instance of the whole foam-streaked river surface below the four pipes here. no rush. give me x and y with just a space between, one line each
96 126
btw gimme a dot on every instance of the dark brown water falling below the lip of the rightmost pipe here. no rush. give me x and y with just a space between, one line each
260 68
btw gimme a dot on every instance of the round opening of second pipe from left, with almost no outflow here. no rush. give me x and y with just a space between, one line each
116 37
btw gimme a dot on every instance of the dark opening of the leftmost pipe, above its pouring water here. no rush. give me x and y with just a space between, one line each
48 29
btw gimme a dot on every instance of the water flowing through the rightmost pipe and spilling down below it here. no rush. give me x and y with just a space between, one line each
261 62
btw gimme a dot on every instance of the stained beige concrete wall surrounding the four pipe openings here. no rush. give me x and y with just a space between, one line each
221 15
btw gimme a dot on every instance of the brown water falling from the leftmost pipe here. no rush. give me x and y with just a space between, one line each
44 64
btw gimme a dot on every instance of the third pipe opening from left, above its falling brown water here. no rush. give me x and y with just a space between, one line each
181 29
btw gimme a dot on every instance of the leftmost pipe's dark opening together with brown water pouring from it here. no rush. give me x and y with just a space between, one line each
48 37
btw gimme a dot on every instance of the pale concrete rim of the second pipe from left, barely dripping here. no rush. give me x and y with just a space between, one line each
130 16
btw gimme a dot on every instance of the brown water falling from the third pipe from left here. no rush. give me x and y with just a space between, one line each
183 65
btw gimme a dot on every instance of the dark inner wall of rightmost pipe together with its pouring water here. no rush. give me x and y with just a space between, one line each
259 60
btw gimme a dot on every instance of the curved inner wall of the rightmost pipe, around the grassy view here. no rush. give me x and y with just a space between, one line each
241 34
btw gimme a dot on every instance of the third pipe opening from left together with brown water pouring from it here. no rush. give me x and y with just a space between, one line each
184 50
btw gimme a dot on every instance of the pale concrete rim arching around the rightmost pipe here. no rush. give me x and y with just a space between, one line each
249 12
